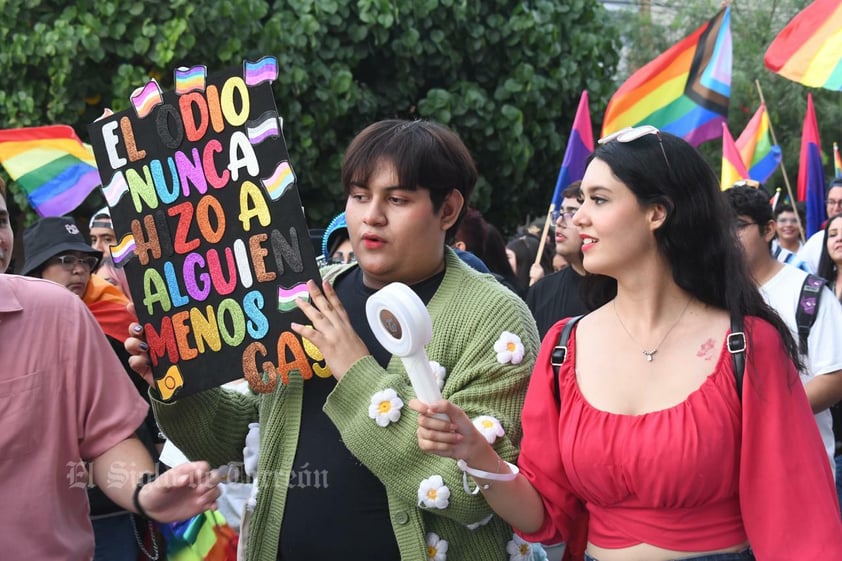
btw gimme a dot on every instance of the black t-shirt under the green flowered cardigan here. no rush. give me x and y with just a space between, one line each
336 508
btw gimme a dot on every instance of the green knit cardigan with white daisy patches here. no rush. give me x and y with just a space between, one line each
469 311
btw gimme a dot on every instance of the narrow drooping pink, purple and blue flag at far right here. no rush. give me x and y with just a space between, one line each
810 173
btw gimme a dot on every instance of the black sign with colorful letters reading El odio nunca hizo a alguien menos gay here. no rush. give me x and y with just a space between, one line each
210 229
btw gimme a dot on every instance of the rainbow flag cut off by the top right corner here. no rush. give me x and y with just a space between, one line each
809 49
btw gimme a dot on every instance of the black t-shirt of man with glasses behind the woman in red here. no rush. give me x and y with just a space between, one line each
554 298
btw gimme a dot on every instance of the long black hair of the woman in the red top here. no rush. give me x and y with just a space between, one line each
698 238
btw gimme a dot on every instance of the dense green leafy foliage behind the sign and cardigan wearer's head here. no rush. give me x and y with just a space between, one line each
505 75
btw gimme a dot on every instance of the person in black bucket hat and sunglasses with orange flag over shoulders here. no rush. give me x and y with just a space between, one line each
55 250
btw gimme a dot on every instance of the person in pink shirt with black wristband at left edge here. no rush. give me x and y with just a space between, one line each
68 413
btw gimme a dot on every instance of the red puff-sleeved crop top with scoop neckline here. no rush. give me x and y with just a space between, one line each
705 474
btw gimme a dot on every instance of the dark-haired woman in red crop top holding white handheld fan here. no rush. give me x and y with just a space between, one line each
652 454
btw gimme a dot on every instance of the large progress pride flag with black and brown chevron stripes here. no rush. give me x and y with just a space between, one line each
685 90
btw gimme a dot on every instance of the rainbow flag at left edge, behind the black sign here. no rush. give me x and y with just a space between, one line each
56 171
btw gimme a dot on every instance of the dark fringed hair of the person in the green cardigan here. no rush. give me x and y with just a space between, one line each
425 154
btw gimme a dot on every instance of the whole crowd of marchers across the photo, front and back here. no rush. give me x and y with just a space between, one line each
655 379
